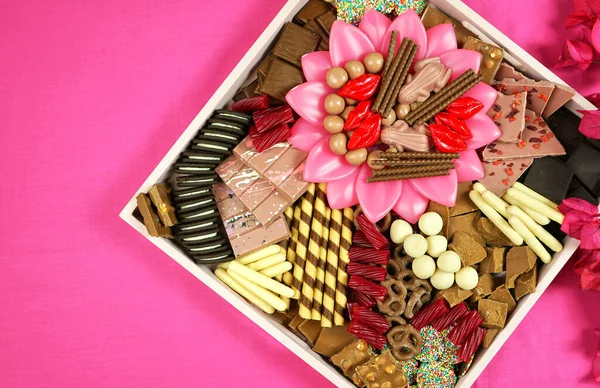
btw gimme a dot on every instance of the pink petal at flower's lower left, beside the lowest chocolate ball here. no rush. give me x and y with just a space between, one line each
322 165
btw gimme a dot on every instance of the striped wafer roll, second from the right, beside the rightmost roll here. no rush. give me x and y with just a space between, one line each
333 251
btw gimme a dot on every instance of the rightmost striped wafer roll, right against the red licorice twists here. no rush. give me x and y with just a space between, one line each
344 259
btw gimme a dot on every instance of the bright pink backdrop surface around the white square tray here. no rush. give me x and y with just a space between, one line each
92 95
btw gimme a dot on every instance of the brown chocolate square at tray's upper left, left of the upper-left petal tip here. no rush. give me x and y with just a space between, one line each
294 41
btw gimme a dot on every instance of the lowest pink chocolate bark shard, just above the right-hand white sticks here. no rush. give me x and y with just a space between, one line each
500 175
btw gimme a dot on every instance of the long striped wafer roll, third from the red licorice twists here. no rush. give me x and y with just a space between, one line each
312 256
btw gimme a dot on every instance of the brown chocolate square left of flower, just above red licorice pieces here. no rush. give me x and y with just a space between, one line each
280 79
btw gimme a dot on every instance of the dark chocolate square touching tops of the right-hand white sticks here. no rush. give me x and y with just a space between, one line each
551 178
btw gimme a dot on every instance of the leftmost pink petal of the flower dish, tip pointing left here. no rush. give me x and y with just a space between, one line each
308 100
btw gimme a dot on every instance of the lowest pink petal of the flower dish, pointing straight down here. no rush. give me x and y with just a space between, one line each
376 199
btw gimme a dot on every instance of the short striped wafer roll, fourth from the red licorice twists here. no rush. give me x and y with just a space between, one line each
306 209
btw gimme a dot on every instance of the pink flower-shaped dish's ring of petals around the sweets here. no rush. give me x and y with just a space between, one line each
347 184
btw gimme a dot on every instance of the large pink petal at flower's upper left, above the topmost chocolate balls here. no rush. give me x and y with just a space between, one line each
348 43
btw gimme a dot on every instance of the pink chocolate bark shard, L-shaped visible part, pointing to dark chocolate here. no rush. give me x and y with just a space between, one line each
538 141
